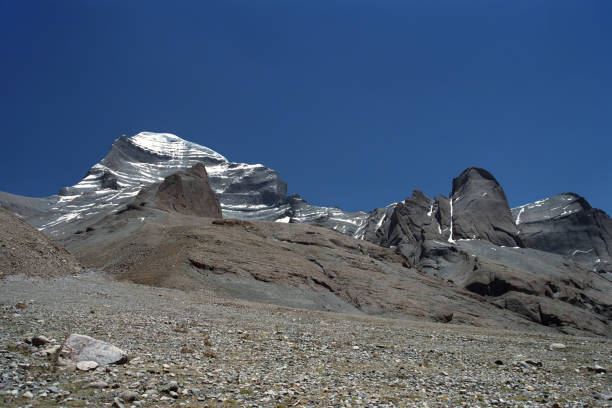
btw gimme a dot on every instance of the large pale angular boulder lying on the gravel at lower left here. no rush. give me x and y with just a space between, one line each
78 347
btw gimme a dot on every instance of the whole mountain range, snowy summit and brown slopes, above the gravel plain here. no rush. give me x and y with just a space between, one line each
143 212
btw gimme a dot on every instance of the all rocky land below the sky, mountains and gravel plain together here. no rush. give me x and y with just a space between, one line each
456 301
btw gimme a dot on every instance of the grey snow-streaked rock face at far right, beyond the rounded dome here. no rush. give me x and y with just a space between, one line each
567 225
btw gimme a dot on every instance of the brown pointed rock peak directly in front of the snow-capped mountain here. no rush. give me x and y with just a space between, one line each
185 192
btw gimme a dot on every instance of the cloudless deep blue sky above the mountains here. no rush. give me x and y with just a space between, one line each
354 103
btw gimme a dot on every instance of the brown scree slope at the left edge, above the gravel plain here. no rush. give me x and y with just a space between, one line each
26 251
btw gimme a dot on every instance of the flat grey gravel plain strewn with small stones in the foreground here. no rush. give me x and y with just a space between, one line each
195 350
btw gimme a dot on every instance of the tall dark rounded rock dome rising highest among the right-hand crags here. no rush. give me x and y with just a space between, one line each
480 209
